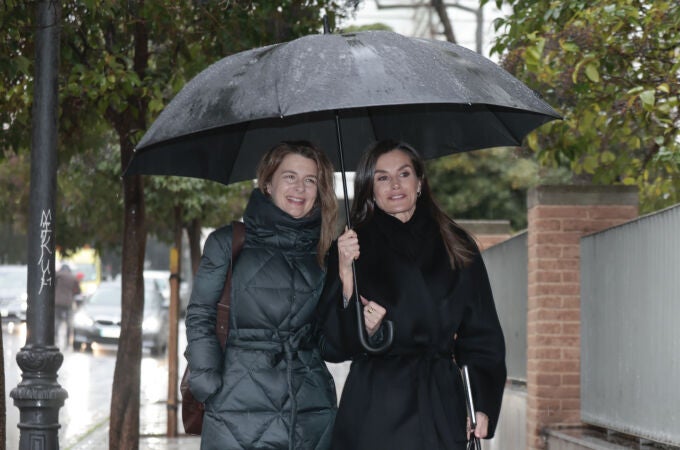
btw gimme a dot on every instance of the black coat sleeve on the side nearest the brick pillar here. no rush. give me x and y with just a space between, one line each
481 346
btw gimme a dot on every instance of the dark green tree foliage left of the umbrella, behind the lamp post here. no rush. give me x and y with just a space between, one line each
110 90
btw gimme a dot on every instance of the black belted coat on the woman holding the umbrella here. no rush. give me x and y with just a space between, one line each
412 397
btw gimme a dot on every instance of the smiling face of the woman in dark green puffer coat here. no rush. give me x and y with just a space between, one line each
293 186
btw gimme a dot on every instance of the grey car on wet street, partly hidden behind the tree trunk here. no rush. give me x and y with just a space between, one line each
98 319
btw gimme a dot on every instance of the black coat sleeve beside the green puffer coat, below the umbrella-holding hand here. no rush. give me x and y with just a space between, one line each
338 335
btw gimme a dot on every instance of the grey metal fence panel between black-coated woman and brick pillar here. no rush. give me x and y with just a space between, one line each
506 264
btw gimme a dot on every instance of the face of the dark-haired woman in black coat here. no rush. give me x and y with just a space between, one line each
396 185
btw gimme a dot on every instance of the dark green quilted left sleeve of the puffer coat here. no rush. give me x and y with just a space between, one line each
204 354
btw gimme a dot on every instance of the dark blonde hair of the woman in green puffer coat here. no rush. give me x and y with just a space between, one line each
325 197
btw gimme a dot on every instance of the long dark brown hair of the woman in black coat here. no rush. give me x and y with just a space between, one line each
459 244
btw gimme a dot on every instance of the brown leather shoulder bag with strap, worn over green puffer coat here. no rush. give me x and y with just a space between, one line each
192 409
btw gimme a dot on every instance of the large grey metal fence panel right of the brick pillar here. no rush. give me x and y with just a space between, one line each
630 335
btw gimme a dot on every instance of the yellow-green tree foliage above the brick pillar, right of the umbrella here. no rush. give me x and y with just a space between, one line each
612 68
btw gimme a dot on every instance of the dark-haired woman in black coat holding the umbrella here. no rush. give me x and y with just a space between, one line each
417 268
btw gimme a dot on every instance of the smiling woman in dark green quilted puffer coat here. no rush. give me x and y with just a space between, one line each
271 388
